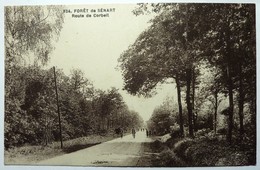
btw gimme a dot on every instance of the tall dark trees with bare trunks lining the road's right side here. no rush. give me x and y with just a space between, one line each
188 41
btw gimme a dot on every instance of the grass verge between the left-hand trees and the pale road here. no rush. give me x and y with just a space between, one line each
32 154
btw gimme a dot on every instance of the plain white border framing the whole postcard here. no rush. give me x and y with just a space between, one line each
74 2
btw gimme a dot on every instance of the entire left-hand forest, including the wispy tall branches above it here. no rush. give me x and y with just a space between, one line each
31 101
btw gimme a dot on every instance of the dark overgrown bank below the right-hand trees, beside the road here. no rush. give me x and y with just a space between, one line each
201 151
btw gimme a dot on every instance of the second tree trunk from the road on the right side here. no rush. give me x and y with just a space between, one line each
189 105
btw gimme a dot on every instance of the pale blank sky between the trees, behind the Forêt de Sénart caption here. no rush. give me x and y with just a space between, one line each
94 45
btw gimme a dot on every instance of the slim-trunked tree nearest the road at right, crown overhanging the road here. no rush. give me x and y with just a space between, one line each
151 60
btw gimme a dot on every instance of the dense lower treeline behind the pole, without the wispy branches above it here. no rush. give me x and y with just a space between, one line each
31 109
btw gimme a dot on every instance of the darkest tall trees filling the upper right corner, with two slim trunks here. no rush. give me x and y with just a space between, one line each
231 26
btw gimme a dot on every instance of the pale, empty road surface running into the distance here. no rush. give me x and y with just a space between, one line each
124 151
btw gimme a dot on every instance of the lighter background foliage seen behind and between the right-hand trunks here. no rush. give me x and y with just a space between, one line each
165 118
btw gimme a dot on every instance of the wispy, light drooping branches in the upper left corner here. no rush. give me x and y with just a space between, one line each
31 29
